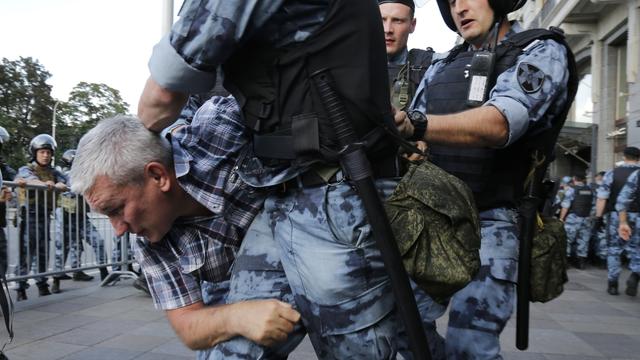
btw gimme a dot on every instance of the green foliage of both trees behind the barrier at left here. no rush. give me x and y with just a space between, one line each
27 108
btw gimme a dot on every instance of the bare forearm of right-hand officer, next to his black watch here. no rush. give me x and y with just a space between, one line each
484 126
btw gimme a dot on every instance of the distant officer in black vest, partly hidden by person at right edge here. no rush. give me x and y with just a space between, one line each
608 192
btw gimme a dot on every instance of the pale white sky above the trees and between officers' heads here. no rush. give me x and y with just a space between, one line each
110 41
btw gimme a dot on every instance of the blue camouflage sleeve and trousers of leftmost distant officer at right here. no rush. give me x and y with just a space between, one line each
578 228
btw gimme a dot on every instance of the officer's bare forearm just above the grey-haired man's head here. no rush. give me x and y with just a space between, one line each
159 107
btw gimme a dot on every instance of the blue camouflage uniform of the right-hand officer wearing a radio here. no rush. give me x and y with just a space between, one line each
479 312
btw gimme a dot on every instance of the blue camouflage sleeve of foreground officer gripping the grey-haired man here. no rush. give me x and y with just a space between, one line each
208 32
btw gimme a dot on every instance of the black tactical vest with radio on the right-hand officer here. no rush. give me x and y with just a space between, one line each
496 176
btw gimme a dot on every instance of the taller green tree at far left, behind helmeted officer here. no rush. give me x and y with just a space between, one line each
25 105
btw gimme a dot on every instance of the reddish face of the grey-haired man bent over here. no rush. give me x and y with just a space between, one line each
141 209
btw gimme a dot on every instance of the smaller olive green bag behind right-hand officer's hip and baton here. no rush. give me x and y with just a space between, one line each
548 260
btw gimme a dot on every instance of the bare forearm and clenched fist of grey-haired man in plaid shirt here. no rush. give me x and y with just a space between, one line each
265 322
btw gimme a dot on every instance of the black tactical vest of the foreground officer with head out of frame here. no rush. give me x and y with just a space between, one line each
281 105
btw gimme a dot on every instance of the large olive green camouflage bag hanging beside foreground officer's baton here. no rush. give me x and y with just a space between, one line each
436 226
